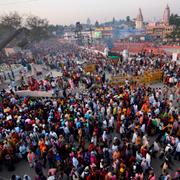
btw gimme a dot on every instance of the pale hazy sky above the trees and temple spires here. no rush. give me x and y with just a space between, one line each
70 11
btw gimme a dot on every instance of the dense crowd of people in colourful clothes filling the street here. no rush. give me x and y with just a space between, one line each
100 132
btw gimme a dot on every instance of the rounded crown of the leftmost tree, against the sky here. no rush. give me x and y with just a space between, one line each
12 20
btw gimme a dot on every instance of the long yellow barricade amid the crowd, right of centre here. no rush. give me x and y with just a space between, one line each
149 77
